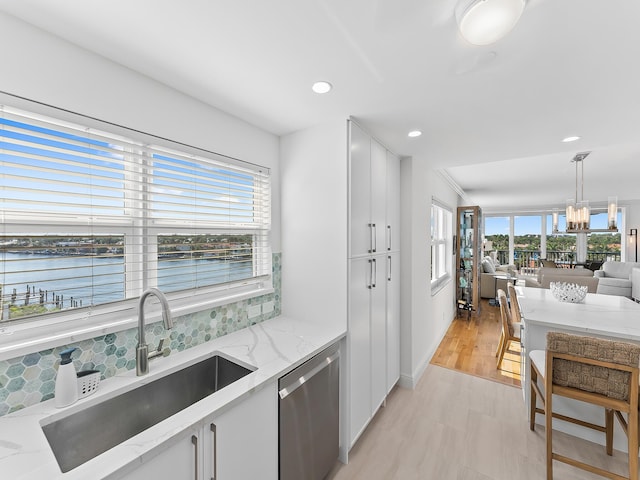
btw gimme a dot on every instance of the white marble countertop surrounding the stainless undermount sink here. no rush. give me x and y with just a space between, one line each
272 347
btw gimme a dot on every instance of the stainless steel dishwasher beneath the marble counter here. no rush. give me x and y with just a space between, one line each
309 417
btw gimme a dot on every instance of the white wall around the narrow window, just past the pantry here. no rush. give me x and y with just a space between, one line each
424 318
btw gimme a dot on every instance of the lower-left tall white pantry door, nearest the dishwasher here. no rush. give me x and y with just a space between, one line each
360 282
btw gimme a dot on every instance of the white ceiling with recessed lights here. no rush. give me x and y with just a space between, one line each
493 116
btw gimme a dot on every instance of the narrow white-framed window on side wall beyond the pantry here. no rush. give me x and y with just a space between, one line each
441 245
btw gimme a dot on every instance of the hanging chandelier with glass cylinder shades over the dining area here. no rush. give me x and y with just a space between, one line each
578 212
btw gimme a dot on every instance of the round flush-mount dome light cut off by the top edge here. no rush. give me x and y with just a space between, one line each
483 22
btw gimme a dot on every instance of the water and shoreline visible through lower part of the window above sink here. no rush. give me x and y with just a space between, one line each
49 273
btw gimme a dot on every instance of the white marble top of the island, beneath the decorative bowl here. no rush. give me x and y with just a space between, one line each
603 315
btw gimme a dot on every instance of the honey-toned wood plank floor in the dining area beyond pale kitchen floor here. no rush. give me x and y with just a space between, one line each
470 346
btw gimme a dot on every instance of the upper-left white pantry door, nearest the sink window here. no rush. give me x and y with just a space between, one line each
360 192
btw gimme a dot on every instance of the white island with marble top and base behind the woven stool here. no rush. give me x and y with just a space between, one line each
604 316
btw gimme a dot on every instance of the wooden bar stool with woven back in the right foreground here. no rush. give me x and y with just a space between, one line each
593 370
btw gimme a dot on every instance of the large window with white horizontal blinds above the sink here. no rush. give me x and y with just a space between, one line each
90 218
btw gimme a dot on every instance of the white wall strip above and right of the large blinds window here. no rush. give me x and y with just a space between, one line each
47 69
